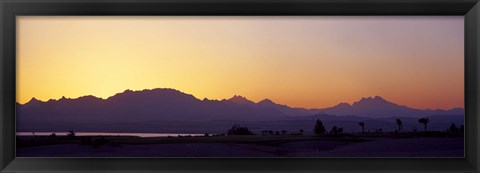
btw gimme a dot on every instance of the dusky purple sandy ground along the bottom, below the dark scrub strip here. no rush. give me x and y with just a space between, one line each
414 147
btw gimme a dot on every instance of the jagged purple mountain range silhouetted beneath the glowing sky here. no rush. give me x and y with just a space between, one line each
173 105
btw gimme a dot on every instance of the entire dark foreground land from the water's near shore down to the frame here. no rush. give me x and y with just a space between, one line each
241 146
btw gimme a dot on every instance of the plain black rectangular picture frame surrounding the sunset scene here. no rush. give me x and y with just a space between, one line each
9 9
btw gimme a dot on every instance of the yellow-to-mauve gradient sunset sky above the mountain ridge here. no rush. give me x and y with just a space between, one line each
311 62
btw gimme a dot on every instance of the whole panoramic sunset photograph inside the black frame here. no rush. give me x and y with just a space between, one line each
240 86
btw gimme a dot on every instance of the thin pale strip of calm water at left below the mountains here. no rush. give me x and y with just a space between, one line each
107 134
